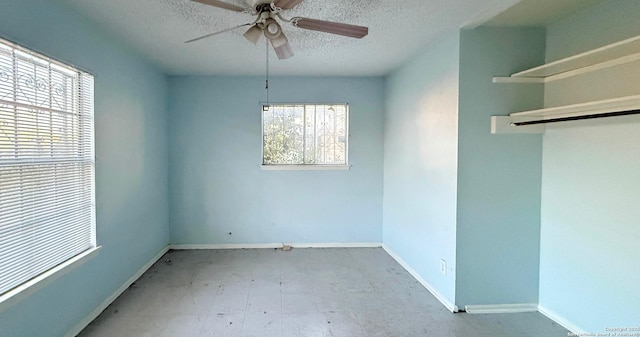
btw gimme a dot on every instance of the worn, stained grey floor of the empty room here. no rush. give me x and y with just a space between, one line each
299 293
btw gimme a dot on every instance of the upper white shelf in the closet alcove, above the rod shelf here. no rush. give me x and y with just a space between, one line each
604 57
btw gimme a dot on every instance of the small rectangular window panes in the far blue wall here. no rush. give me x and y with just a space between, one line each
305 134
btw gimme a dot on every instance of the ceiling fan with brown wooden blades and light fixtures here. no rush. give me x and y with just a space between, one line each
267 12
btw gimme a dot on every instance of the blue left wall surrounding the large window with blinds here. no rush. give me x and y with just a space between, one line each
131 164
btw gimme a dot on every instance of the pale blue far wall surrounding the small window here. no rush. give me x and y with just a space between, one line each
217 186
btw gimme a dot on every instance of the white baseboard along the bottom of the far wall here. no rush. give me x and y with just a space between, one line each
278 245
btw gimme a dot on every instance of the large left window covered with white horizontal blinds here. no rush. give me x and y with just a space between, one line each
47 212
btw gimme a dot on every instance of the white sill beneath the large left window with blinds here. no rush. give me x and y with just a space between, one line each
26 289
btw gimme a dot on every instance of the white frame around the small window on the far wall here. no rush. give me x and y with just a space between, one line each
305 167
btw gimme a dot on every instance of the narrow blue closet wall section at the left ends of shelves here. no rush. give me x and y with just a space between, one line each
498 228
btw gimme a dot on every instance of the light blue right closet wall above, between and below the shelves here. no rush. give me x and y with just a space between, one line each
590 219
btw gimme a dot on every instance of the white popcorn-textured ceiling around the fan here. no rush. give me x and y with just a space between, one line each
397 30
